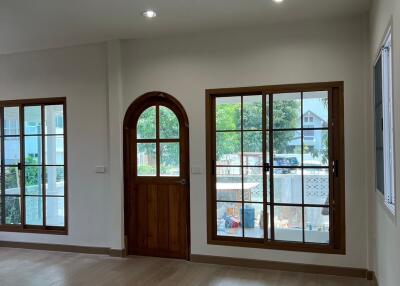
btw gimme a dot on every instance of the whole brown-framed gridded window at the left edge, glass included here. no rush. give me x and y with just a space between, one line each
33 166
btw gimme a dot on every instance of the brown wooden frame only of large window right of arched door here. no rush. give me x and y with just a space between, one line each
336 168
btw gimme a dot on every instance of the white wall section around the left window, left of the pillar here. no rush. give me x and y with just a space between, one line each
79 74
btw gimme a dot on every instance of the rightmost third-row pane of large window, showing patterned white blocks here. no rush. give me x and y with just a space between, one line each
316 186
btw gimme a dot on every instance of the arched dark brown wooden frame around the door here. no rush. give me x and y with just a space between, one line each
131 116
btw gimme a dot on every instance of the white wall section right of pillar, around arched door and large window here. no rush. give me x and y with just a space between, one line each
308 52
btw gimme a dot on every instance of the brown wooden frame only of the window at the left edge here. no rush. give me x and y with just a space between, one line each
21 104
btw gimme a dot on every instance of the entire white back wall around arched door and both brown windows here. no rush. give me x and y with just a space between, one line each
185 67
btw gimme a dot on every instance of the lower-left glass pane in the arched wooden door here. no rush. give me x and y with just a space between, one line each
146 159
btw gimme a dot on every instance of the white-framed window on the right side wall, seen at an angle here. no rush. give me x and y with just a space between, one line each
384 151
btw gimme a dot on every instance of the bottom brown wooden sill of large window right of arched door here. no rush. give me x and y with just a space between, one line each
276 245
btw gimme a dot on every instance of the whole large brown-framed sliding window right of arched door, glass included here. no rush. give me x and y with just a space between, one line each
276 167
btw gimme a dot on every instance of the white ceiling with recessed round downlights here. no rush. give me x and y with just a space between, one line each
40 24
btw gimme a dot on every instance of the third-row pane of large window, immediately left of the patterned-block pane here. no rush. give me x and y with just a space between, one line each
288 186
